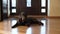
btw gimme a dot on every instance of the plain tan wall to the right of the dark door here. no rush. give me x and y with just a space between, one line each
54 8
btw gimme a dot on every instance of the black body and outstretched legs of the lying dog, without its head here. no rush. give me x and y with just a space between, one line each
27 22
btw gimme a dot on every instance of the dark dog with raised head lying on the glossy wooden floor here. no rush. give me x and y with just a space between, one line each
24 20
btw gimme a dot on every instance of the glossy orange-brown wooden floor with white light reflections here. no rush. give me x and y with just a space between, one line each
51 26
